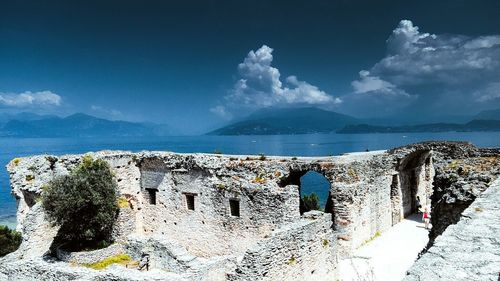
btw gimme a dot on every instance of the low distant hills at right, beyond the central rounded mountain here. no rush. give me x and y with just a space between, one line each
472 126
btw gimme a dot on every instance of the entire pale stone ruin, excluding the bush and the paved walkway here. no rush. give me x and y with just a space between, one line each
230 217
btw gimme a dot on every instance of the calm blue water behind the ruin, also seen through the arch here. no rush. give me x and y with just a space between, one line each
289 145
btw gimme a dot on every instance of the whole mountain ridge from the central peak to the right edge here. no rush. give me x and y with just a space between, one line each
305 120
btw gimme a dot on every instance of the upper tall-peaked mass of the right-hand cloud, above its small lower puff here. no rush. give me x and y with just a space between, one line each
415 57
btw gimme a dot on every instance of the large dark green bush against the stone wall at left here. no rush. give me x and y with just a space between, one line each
83 204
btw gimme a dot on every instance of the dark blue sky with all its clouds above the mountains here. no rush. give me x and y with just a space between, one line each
187 63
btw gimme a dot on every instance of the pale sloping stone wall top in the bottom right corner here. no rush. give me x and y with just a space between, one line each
468 250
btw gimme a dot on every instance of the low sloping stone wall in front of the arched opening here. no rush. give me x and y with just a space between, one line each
303 250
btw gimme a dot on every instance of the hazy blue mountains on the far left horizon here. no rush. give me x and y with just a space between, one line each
76 125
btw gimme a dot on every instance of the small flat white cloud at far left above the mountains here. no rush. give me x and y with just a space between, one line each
30 99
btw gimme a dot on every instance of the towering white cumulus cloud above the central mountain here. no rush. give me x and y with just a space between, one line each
259 86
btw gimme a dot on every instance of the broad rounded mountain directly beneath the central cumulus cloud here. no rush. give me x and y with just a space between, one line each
279 121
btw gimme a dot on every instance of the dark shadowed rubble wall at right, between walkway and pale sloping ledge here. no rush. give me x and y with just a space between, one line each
460 173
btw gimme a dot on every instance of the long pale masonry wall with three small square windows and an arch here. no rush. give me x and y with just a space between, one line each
360 189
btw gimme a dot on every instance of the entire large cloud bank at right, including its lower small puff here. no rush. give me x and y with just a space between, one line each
448 73
